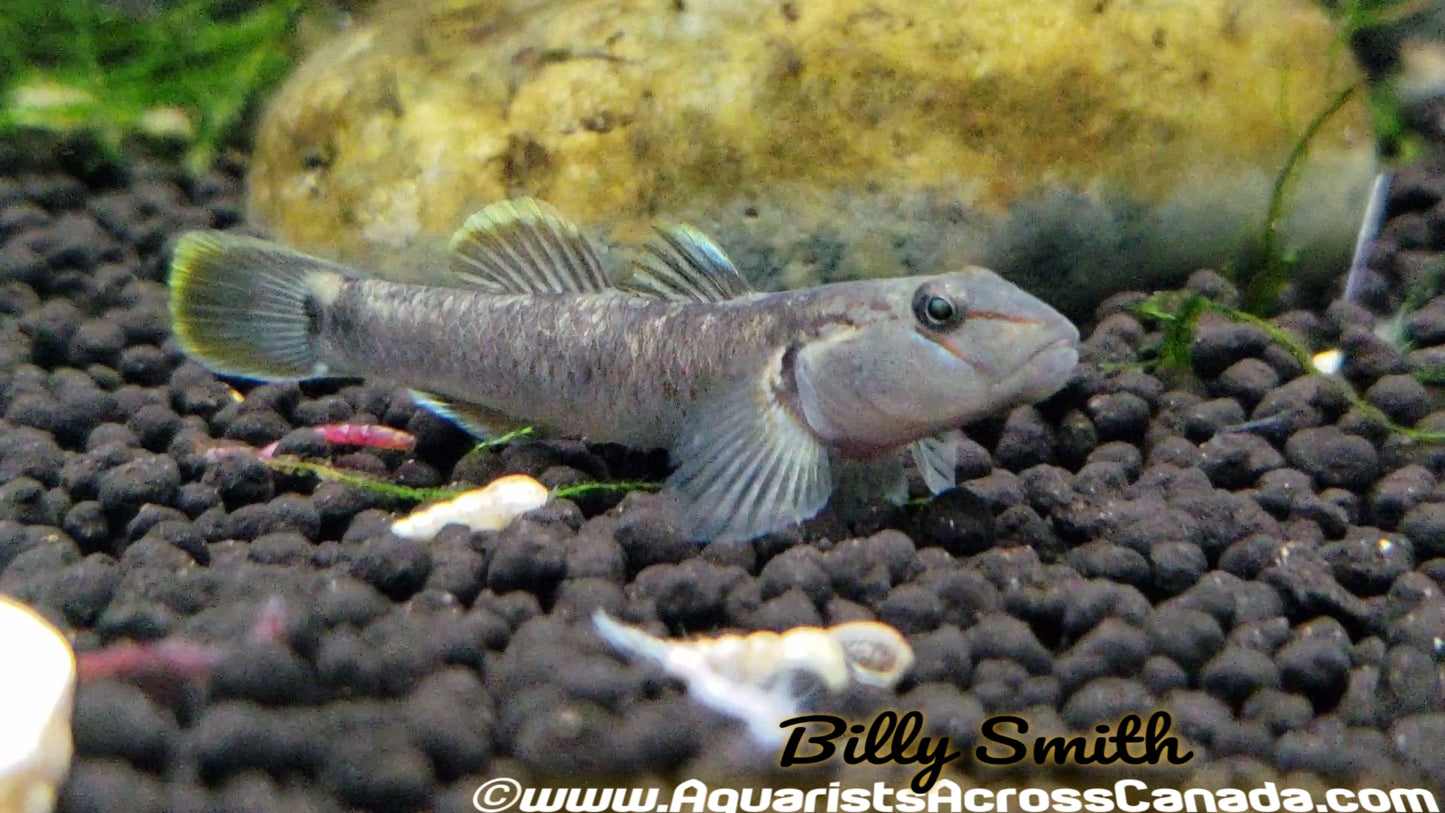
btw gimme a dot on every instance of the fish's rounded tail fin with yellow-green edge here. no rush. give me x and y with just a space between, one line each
251 308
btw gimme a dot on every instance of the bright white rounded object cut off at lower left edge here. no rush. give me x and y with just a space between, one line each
37 694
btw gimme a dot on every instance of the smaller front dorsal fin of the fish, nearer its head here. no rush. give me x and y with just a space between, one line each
684 265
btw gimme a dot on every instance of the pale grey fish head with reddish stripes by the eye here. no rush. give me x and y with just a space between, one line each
933 355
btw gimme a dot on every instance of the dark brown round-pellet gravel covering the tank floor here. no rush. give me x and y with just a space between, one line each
1112 551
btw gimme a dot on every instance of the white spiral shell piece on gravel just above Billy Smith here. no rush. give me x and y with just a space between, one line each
751 678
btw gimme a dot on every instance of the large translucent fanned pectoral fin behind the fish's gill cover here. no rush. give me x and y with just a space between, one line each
748 467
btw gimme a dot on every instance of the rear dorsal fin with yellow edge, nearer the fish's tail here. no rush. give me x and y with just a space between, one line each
525 246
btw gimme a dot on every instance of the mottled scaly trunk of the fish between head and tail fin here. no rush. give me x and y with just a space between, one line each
579 365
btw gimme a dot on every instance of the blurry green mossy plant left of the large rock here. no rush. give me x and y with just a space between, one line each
202 66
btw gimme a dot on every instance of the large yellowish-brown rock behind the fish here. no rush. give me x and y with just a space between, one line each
1079 147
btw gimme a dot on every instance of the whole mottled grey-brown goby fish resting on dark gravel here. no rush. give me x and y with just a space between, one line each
771 404
